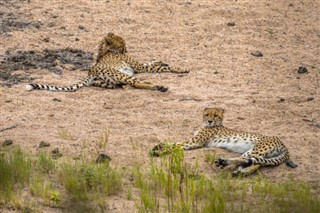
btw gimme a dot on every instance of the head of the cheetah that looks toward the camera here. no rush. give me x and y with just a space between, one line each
213 117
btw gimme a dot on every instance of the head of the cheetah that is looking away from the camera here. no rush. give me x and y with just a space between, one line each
111 44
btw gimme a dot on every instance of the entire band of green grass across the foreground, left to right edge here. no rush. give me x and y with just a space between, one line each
168 184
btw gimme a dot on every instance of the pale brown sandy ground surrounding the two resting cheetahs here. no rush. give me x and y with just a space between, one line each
54 42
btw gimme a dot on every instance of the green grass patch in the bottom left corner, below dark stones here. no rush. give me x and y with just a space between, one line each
43 177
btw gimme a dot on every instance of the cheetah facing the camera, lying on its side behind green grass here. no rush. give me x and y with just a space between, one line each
257 150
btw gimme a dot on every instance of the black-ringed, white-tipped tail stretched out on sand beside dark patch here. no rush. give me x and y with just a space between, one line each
87 82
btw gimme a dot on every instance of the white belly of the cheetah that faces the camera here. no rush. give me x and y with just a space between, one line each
231 144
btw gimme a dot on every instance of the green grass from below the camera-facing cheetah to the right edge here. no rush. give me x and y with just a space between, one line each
174 186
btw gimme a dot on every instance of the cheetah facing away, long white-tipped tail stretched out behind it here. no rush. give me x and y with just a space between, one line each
114 68
